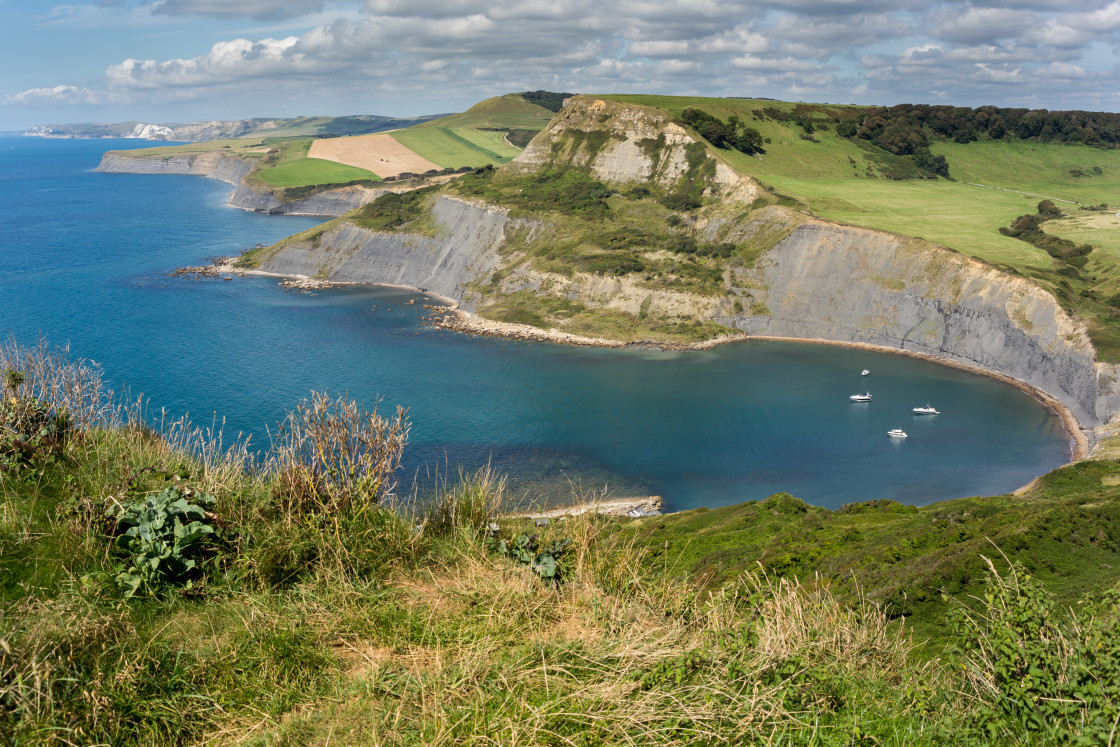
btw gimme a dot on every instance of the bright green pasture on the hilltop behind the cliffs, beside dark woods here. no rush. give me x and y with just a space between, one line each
959 217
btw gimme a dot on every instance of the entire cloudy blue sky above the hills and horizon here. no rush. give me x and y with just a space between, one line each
179 61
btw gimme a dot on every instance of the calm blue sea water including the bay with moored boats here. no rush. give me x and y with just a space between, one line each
83 258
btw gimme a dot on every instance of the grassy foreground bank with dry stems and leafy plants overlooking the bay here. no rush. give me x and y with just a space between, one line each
163 589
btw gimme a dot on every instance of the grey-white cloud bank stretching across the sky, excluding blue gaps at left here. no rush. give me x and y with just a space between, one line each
833 50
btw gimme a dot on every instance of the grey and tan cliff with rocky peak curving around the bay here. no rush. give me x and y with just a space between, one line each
792 276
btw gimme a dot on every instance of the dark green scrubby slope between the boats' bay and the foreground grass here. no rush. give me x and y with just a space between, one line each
904 557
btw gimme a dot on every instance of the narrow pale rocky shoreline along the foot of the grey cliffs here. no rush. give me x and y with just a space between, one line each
458 320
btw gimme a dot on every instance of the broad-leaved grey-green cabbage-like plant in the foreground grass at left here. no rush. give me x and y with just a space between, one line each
163 539
